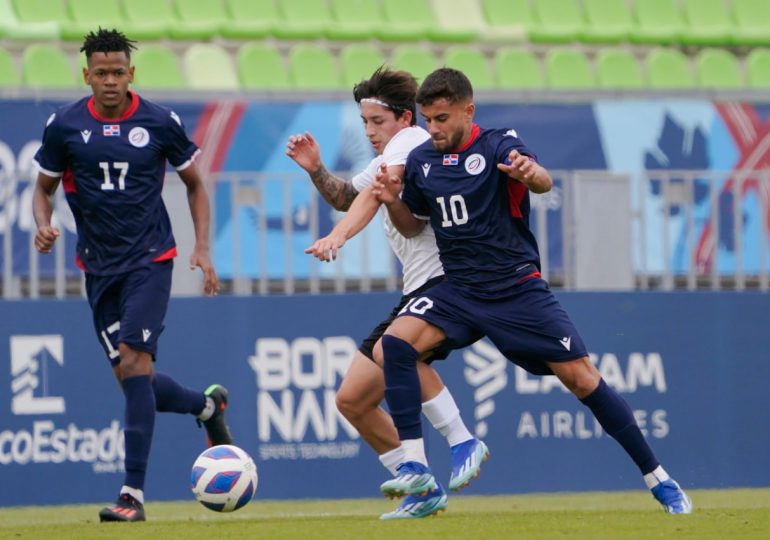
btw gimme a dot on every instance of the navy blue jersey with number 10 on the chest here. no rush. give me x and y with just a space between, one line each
479 214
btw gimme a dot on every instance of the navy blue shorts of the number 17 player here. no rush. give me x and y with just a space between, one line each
129 308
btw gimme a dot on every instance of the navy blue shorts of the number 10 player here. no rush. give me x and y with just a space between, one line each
528 325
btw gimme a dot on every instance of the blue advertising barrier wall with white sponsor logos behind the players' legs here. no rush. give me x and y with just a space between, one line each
692 365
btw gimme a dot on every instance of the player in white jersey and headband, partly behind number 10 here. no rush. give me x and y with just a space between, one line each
387 104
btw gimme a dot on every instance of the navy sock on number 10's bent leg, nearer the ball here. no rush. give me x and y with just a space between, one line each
402 386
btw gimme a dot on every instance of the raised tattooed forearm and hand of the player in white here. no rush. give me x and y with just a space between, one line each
306 152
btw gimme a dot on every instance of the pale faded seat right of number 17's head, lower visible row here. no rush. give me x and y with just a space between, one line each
209 67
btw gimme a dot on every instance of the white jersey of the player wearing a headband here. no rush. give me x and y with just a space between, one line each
419 254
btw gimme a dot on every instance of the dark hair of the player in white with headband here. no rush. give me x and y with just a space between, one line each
395 89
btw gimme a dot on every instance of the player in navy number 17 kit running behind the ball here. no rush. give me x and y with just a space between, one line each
109 151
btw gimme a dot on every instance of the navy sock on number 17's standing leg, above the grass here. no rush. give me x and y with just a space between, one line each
139 424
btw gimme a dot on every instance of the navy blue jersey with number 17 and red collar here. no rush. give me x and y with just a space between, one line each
112 172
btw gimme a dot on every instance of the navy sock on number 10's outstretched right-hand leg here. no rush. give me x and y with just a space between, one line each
617 419
